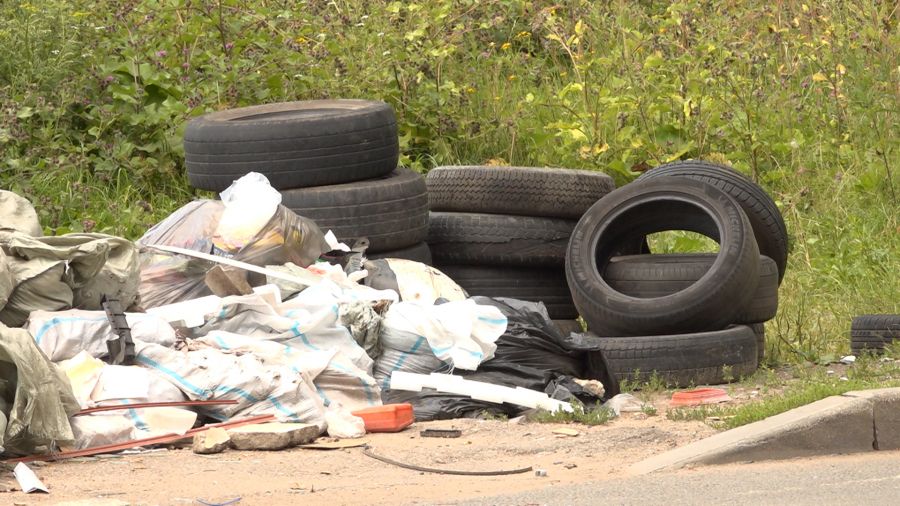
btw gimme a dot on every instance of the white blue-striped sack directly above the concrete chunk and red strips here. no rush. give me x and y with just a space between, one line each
205 373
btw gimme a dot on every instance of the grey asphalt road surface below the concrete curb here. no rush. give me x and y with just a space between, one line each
871 478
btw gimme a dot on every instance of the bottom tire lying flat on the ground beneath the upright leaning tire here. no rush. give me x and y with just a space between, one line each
683 360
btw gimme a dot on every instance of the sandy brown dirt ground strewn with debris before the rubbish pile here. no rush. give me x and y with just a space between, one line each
347 476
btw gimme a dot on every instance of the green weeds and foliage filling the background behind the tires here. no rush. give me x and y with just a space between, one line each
803 97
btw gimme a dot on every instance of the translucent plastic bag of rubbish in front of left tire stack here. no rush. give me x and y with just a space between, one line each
211 226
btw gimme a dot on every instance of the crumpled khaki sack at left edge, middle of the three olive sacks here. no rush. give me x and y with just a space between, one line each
62 272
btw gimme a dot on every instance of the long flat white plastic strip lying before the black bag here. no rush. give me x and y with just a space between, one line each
477 390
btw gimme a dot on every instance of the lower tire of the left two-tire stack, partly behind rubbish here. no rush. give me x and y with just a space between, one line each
392 211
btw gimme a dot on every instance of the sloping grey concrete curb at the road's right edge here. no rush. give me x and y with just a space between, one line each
854 422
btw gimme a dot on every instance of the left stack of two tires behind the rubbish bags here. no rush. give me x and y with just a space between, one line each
334 161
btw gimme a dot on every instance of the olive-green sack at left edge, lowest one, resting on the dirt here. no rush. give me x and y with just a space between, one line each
34 394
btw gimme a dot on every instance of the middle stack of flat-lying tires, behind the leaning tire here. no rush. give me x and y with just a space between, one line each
503 231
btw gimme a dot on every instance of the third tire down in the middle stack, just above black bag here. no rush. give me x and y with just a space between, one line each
524 283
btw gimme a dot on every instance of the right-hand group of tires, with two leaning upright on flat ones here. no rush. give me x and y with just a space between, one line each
688 318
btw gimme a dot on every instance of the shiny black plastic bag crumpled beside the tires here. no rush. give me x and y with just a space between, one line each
532 354
